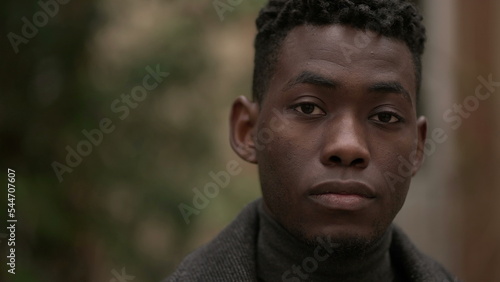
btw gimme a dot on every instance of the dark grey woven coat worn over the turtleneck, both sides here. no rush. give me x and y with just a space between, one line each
231 256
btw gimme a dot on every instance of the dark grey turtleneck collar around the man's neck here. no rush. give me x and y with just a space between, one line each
282 257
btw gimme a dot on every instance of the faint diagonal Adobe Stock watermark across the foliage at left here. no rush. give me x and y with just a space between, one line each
121 107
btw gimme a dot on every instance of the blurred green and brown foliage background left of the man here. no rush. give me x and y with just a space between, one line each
119 207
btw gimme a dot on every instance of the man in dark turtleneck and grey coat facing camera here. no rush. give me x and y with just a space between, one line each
332 121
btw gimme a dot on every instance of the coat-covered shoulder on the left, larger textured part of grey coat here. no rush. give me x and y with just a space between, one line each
228 257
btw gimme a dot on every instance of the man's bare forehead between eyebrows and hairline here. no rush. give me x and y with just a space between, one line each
345 54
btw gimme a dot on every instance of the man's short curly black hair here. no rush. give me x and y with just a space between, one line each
397 19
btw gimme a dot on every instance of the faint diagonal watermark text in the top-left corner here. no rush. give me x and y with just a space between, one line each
30 28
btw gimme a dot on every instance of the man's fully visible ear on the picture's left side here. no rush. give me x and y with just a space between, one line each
243 121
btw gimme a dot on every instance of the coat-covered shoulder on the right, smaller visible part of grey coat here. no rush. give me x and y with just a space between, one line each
412 264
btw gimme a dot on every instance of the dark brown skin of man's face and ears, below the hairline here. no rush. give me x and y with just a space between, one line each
338 125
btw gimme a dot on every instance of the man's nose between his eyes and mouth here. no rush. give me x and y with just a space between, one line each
344 144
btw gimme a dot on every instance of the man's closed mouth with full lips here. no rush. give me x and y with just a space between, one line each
342 195
